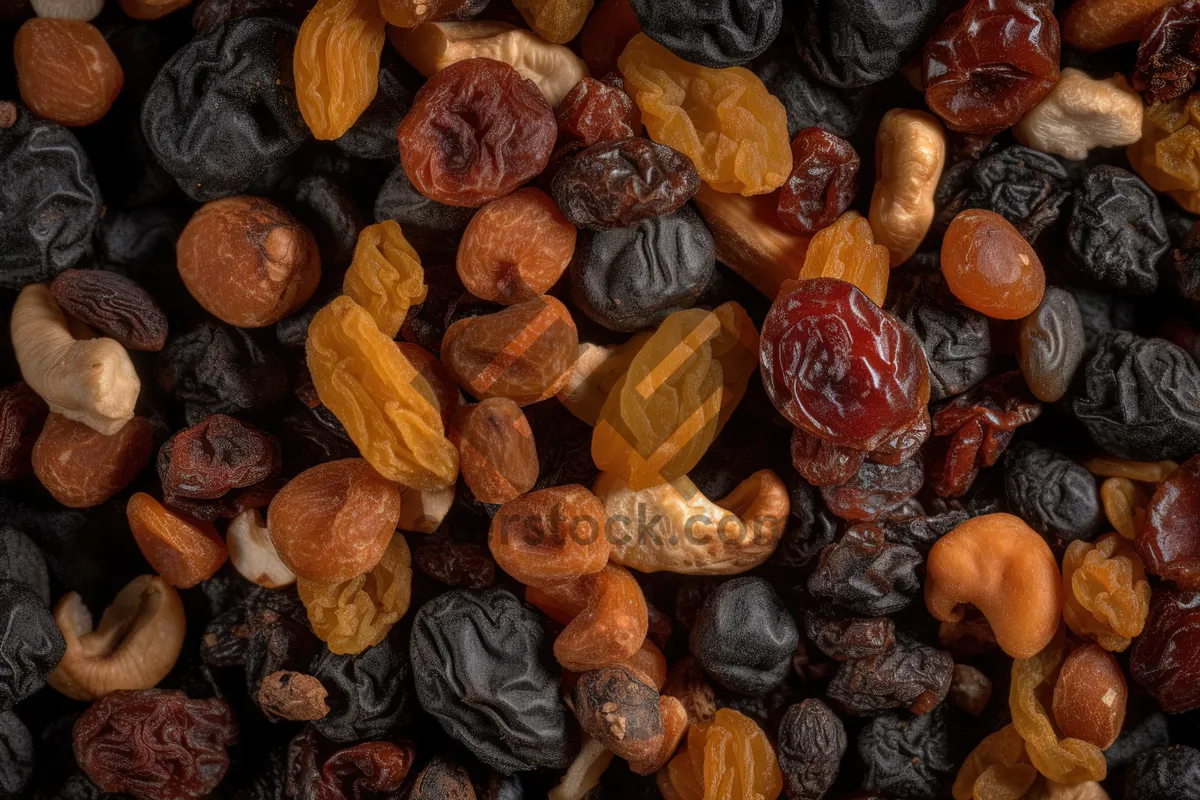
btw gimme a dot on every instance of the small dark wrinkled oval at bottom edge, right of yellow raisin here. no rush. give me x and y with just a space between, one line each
812 744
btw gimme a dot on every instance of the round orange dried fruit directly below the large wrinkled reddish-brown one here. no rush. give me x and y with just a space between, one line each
515 248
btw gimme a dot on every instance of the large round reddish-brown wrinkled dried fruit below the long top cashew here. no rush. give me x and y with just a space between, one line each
476 133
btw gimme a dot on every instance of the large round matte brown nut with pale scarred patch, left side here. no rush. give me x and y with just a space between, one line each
248 261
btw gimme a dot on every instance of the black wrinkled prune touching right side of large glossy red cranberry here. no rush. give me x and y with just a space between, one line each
957 342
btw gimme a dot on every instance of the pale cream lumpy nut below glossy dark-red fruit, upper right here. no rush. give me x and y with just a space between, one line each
1081 115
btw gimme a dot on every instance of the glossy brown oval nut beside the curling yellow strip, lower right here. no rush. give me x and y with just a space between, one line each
1090 696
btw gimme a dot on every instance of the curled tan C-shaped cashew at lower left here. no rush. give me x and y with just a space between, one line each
137 643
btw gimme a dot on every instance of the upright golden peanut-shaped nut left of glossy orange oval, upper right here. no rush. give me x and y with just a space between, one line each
910 154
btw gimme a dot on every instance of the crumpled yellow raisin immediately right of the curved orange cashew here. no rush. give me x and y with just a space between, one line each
1106 593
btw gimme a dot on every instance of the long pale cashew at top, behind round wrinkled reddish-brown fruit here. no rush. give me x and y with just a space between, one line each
433 47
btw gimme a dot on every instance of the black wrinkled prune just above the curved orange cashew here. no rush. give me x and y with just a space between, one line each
1053 494
